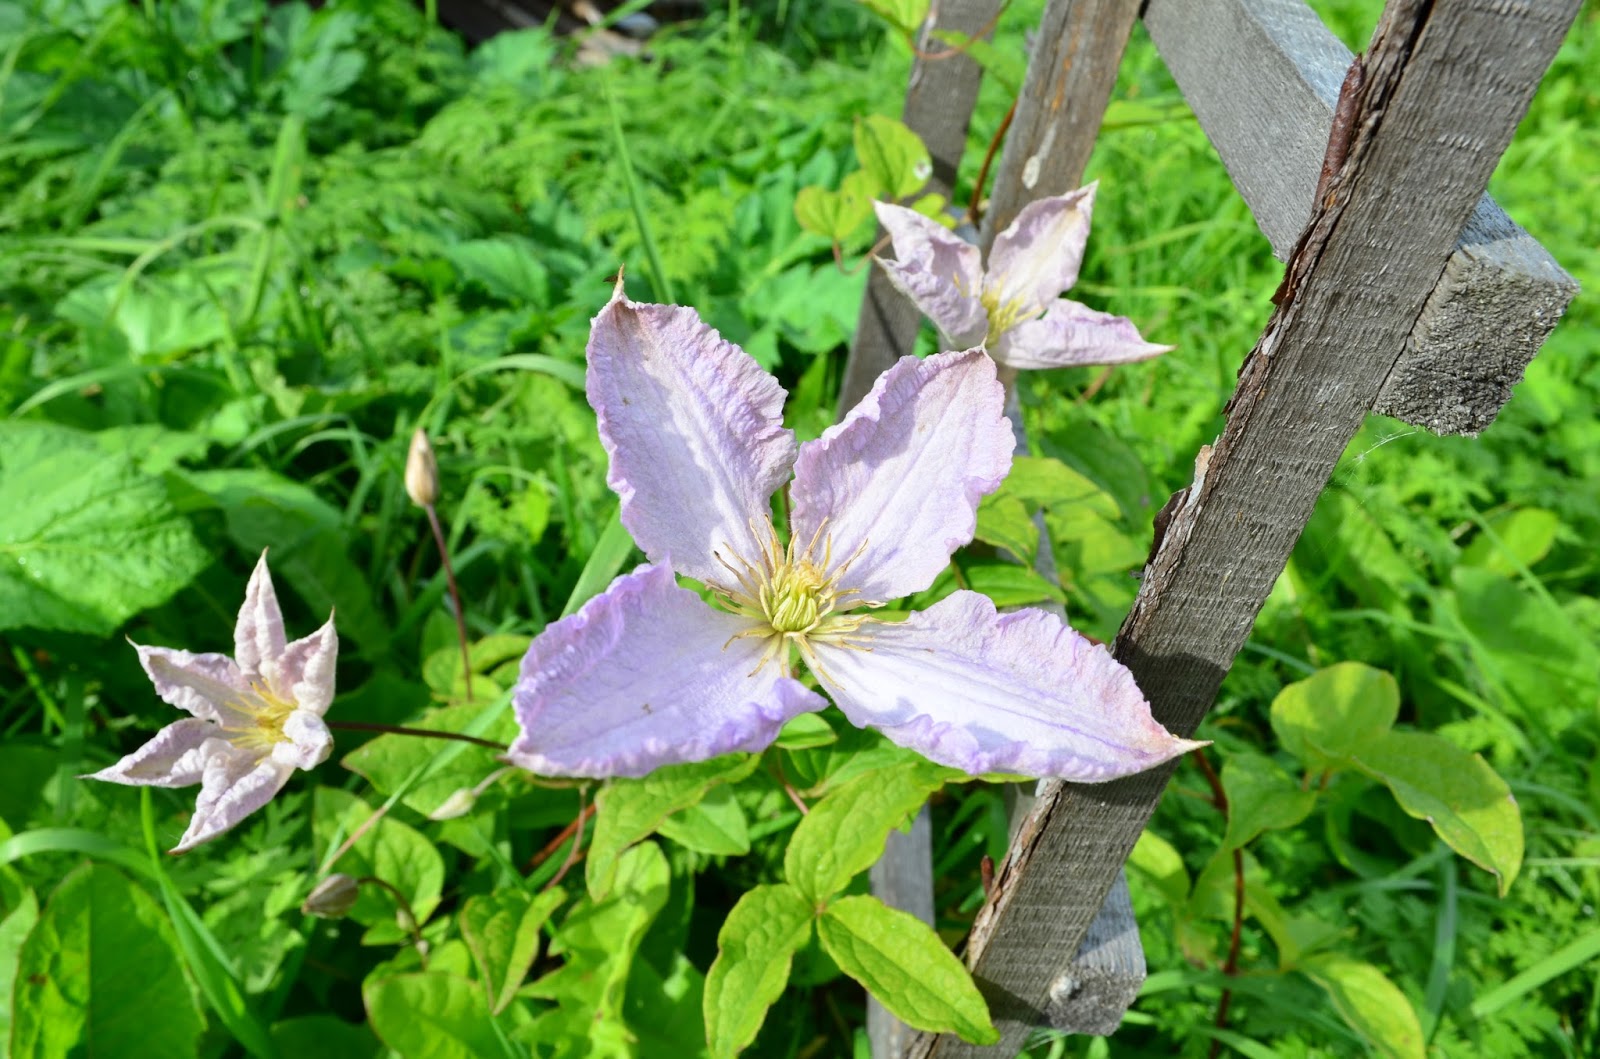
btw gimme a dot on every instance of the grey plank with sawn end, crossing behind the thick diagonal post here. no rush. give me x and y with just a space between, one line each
1263 78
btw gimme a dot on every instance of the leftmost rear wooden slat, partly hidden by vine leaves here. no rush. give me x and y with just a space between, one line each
938 108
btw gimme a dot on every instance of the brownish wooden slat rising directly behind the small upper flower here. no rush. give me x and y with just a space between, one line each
1058 116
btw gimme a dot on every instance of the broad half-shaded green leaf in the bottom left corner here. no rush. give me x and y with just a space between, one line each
100 975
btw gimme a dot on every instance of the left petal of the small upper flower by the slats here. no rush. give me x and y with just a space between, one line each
938 271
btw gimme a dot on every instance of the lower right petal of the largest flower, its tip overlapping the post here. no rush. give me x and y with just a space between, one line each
999 693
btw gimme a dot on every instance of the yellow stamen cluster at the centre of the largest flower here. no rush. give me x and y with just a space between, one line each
791 596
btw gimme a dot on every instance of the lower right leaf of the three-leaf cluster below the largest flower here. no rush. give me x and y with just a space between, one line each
906 967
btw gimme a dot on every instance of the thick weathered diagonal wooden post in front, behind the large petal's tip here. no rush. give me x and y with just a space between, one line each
1446 86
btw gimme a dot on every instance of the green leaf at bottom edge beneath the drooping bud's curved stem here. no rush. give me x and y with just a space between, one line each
431 1017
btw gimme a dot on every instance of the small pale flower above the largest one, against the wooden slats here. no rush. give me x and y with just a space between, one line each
1014 306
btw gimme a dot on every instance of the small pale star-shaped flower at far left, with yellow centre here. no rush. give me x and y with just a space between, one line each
254 721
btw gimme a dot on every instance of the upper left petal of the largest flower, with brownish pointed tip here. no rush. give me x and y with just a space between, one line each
695 433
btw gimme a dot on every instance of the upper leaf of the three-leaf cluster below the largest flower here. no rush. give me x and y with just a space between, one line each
844 834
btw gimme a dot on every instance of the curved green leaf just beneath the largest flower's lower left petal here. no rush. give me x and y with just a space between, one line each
631 810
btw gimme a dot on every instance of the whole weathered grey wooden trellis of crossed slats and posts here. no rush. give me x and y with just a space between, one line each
1462 303
